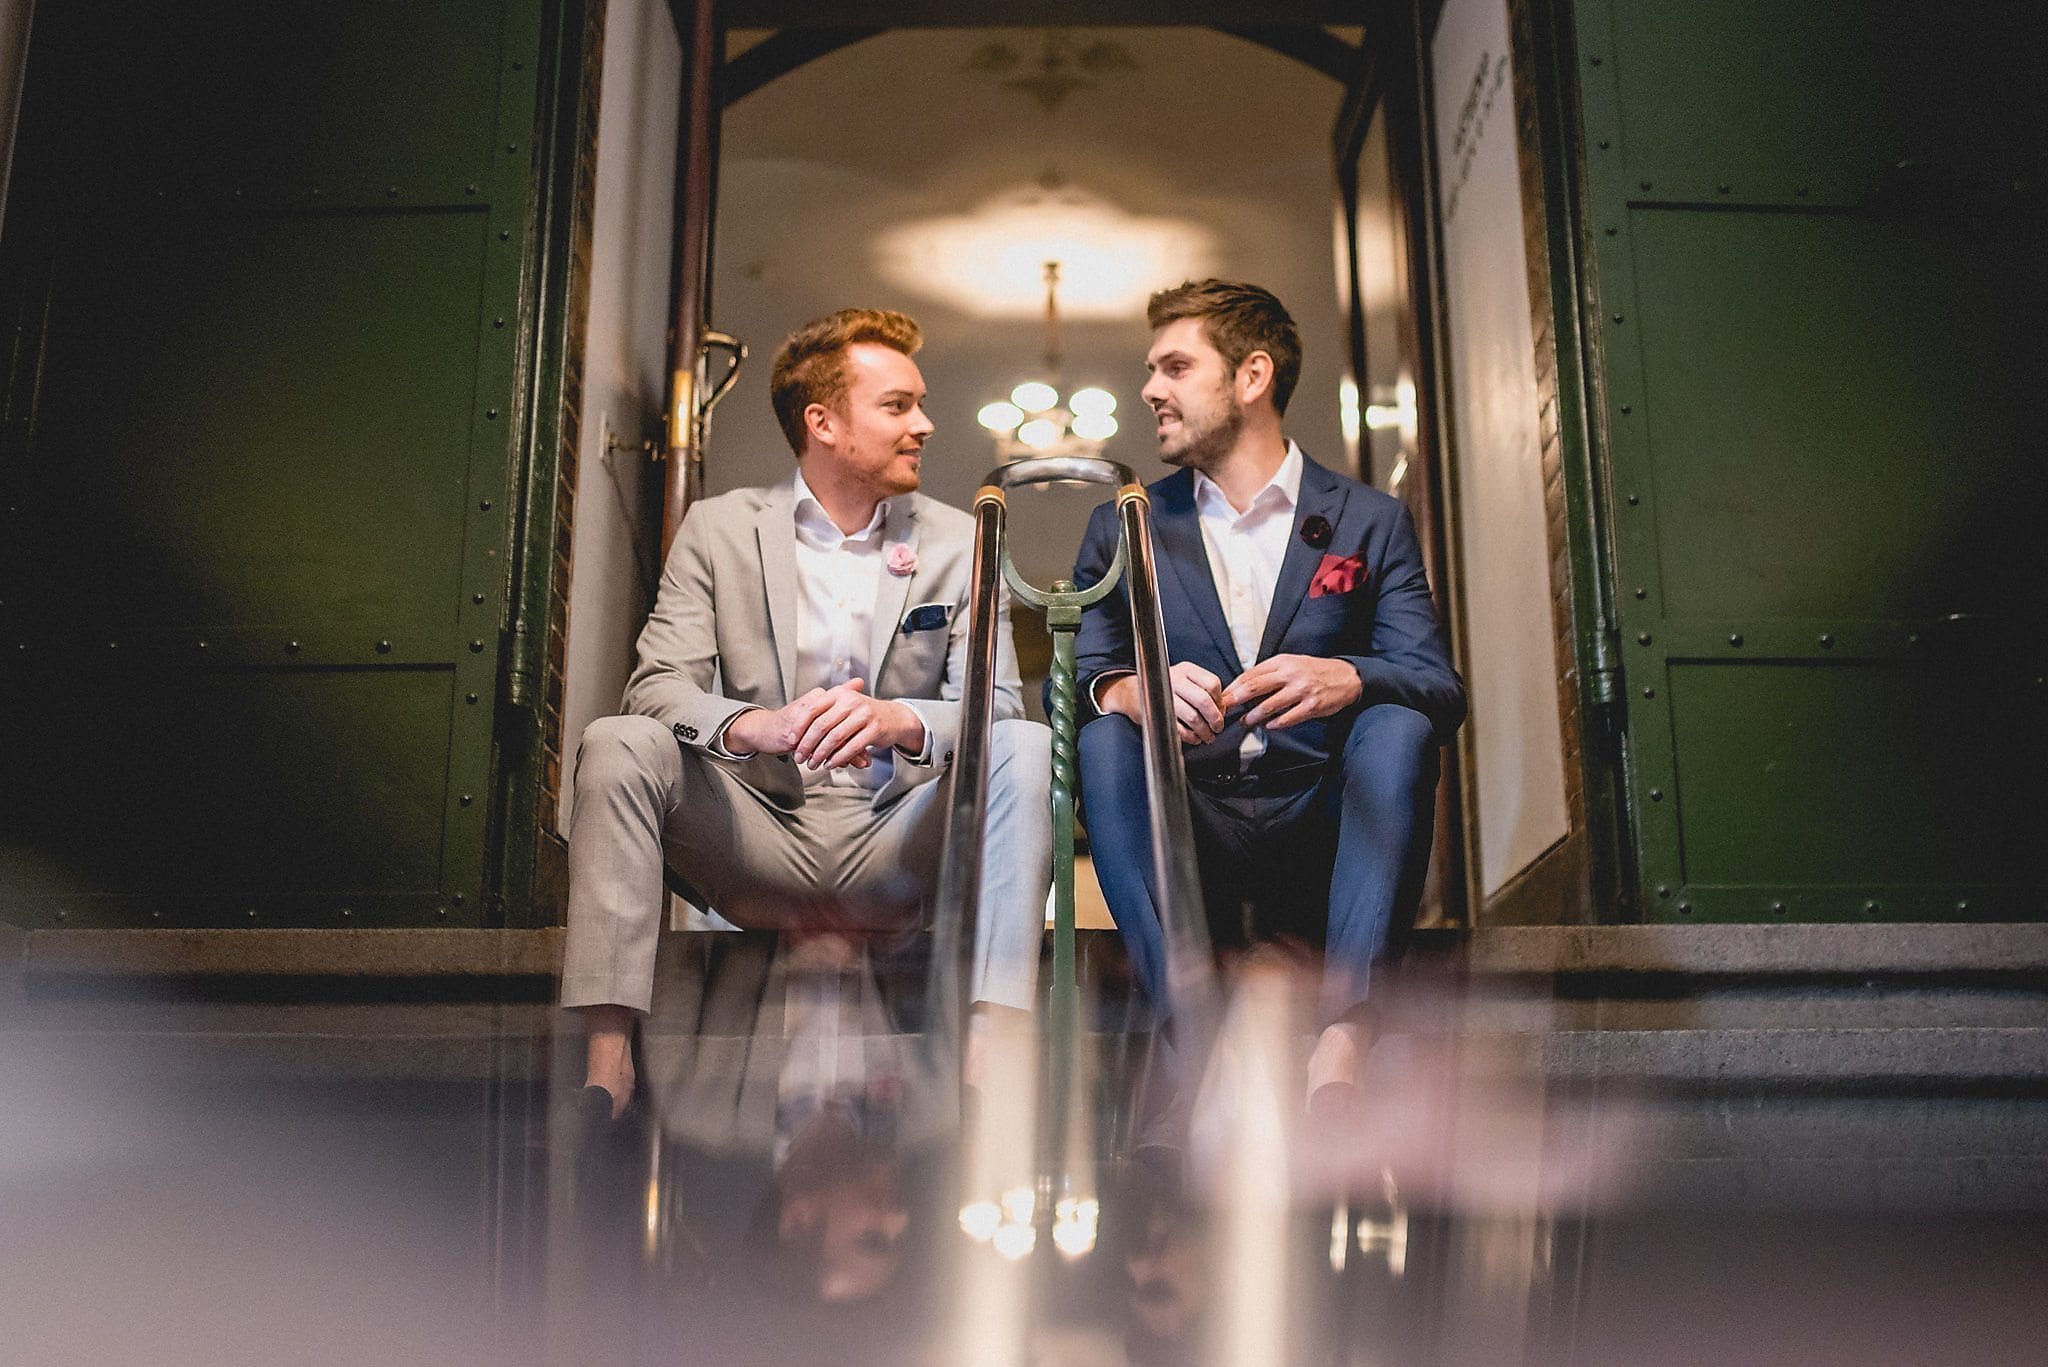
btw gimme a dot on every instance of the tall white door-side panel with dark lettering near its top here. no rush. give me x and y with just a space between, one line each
1498 462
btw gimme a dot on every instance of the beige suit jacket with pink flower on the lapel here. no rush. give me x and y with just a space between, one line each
724 630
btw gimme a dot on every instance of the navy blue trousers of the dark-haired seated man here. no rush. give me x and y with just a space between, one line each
1326 858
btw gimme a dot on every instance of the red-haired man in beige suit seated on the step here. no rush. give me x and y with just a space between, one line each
798 704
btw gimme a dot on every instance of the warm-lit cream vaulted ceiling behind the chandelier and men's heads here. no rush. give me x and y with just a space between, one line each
908 167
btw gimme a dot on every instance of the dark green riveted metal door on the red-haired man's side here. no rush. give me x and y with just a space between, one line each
265 267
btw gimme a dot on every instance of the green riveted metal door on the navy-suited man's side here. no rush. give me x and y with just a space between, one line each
1818 272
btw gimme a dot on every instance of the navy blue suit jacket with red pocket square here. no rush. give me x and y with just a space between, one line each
1385 628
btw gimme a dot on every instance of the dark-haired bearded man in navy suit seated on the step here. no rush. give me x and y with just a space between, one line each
1312 683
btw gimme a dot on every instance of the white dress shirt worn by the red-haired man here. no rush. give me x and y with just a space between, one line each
839 577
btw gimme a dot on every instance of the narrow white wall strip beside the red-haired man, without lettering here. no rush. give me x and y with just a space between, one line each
626 366
